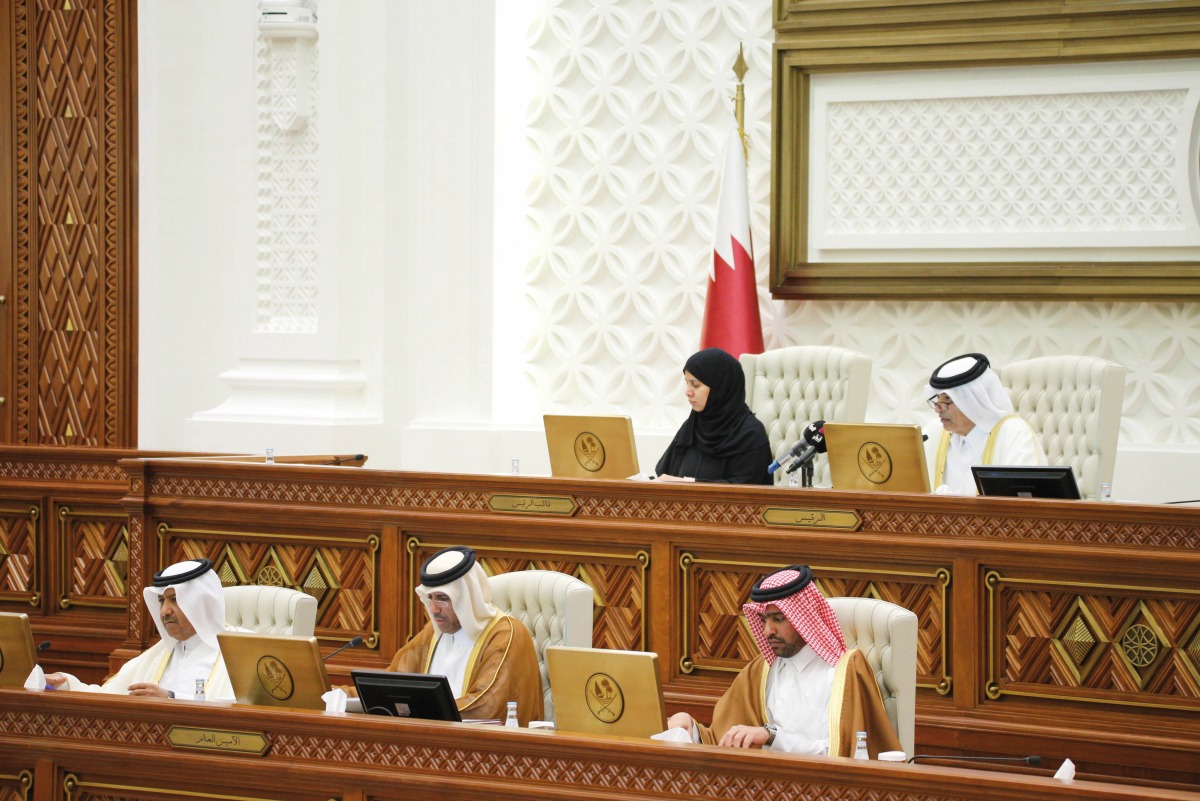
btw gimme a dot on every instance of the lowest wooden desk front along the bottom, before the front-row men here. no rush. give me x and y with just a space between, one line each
82 748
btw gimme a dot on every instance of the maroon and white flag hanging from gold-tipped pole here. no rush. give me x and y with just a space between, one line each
731 310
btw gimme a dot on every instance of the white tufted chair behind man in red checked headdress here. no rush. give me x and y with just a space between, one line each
887 637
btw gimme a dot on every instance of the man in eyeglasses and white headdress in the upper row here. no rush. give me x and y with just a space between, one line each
976 425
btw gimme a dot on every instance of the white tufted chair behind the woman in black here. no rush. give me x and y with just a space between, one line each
790 388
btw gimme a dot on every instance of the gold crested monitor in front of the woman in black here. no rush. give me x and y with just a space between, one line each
591 447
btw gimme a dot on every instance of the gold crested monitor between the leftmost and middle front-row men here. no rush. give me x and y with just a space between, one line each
275 670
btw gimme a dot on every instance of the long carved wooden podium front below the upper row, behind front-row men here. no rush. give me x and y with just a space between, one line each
1060 629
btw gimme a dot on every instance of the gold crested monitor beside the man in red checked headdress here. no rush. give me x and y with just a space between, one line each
599 691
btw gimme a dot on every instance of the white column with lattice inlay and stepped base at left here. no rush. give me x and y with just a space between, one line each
307 371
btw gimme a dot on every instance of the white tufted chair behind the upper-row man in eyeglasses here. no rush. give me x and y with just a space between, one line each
1075 406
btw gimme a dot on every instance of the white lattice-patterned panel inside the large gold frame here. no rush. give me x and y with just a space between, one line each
1012 171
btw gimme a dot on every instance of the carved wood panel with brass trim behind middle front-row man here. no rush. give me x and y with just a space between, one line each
617 580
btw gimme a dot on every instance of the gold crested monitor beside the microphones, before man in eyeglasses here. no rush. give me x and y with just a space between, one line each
877 457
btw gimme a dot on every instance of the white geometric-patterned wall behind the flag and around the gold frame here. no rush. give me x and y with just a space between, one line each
631 109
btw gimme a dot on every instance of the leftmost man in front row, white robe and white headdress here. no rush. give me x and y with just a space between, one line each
188 606
